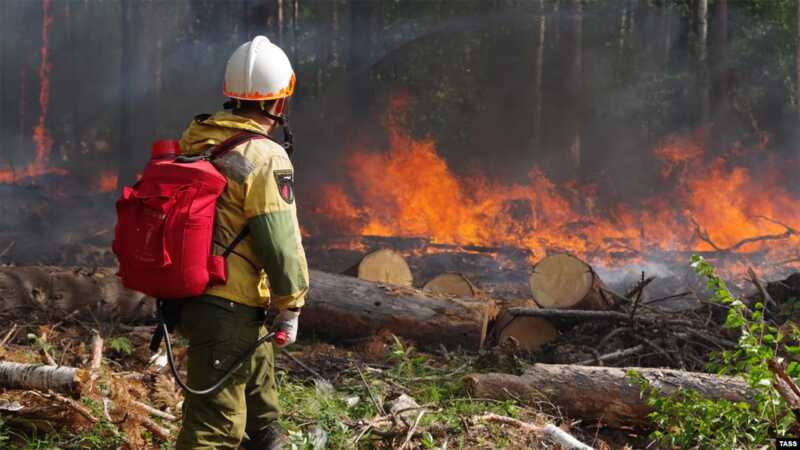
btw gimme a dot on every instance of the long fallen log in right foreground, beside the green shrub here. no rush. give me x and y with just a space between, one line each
606 394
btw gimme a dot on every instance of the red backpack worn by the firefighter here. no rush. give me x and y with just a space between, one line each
165 223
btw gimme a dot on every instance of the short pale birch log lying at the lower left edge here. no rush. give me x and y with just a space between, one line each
65 380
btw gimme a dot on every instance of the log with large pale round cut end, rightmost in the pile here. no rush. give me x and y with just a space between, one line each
565 282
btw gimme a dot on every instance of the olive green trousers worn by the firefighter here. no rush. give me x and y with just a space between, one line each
219 331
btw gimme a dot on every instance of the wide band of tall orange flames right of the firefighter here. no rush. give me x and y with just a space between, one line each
719 206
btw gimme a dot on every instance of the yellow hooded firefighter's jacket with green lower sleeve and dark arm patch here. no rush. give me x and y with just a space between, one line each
259 194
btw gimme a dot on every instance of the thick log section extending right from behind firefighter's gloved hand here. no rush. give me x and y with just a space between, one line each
341 307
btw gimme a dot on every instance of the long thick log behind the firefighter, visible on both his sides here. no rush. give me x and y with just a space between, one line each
339 307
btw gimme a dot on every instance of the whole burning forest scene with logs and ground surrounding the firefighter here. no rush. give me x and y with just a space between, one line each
529 223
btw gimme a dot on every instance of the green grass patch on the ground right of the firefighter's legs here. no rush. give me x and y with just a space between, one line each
438 387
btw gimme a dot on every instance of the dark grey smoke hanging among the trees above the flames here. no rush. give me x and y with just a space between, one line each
127 73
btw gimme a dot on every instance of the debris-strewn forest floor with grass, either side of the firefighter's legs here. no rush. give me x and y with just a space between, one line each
378 393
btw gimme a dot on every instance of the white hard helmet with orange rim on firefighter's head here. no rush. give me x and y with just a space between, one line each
258 70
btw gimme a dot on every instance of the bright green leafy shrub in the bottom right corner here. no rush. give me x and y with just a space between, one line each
684 419
